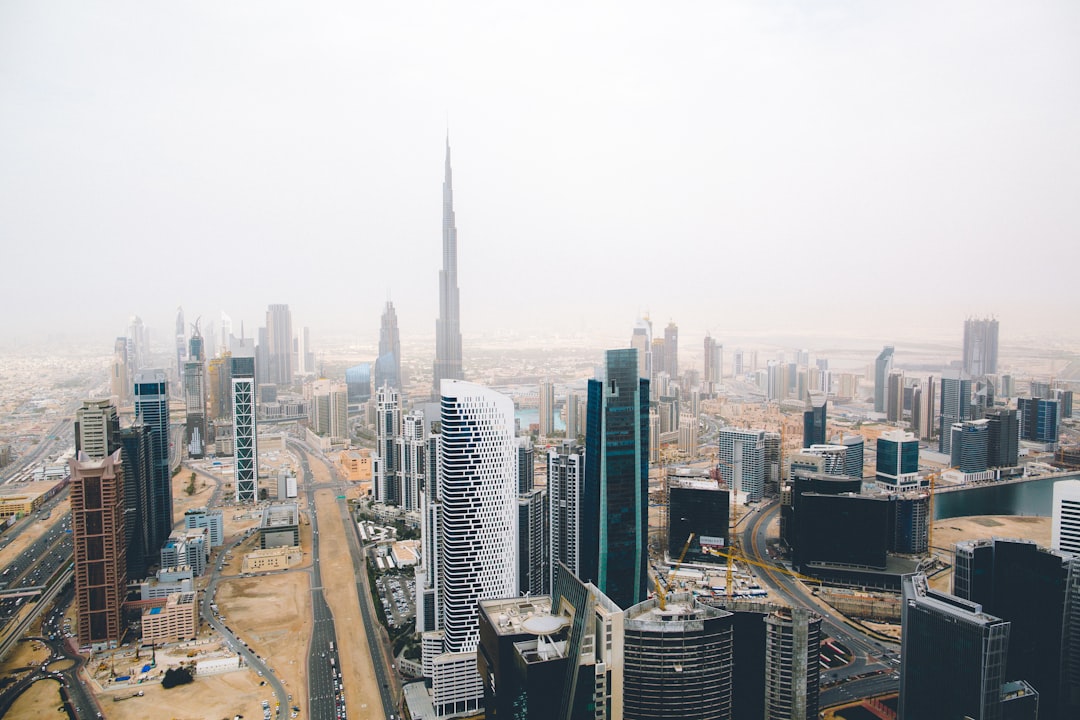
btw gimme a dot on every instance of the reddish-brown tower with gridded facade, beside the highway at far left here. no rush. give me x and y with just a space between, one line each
98 535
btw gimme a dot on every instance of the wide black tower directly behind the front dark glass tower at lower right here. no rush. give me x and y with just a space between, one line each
1035 590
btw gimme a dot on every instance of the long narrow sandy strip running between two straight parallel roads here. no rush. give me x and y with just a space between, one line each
340 585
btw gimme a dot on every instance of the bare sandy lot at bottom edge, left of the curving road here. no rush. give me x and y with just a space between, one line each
210 698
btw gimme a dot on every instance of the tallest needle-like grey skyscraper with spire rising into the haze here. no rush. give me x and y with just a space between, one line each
449 327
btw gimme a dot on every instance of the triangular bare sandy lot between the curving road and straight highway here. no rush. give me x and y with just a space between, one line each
273 614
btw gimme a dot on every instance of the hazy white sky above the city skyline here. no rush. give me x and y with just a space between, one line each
735 167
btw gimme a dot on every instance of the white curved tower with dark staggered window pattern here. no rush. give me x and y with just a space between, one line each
478 492
